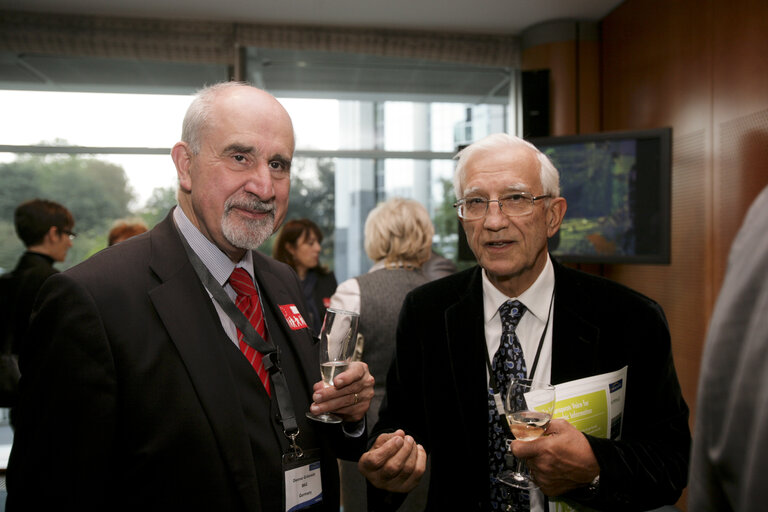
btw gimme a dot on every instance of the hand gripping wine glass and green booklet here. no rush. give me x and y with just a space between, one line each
561 460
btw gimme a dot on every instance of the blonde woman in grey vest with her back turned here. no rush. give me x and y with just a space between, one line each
398 239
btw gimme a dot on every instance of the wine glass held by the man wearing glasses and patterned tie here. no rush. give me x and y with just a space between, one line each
529 406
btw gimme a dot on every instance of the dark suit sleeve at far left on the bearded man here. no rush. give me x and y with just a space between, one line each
64 439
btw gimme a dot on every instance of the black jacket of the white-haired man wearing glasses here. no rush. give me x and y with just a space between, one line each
437 388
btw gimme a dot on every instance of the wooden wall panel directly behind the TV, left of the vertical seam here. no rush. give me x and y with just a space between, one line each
656 71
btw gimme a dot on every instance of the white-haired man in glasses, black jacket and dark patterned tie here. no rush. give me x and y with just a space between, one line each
573 325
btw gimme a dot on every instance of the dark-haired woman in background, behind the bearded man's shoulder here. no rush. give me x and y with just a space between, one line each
298 245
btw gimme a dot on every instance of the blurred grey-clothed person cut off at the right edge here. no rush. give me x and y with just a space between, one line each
730 442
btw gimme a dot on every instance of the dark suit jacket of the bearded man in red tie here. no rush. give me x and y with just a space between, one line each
134 398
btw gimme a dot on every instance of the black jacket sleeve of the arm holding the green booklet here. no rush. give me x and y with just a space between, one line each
648 467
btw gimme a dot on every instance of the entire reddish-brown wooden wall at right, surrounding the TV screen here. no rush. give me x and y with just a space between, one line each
701 68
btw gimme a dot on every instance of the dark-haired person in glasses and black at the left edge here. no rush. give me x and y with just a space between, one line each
45 227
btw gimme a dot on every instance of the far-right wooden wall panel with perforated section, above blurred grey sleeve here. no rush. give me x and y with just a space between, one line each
740 92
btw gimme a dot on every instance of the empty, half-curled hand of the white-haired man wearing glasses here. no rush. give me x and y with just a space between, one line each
349 397
